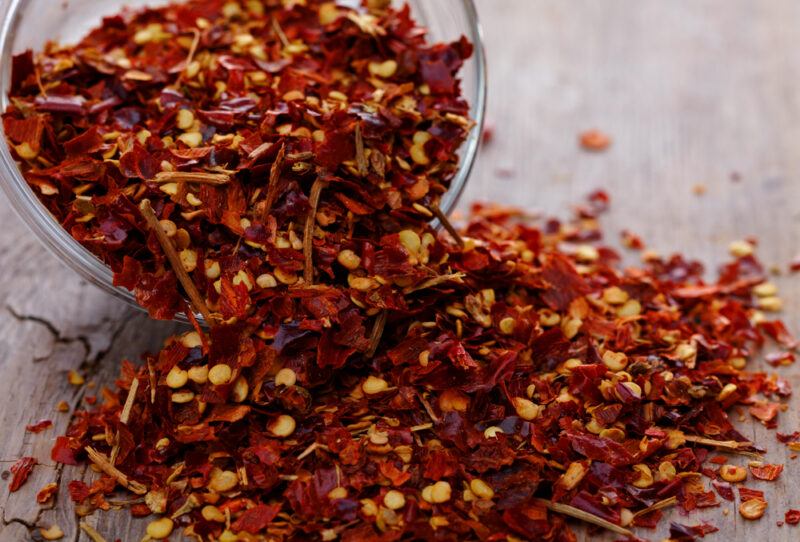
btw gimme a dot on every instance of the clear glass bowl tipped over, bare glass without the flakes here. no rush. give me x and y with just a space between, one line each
28 24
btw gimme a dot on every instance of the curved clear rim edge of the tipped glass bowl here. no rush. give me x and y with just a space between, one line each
81 260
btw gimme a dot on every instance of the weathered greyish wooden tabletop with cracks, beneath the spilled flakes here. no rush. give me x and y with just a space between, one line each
691 91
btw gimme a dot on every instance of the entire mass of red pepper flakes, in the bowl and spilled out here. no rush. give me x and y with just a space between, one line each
272 166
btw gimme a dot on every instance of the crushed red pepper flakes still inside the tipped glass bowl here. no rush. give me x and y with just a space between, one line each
236 147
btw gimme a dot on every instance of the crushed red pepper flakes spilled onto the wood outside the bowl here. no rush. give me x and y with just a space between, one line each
531 381
